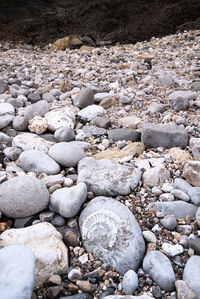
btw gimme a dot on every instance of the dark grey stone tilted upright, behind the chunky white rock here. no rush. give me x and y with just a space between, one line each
84 98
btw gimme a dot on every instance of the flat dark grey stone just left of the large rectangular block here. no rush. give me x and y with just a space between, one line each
124 134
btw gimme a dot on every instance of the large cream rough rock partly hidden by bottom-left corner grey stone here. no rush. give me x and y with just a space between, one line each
45 242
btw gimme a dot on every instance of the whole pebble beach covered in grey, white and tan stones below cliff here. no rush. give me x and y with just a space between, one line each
100 170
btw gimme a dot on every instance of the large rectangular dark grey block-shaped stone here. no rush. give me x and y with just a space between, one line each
156 135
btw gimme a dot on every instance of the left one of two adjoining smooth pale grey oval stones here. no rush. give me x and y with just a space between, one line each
38 162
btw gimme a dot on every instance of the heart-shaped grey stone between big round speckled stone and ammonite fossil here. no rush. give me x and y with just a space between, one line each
67 202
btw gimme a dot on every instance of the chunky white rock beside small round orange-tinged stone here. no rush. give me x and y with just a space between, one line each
58 118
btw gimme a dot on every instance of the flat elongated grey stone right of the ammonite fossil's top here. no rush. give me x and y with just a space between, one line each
180 209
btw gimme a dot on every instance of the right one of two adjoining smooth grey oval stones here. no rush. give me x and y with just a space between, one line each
66 154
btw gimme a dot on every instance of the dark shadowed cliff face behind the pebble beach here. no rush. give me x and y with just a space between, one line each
115 20
